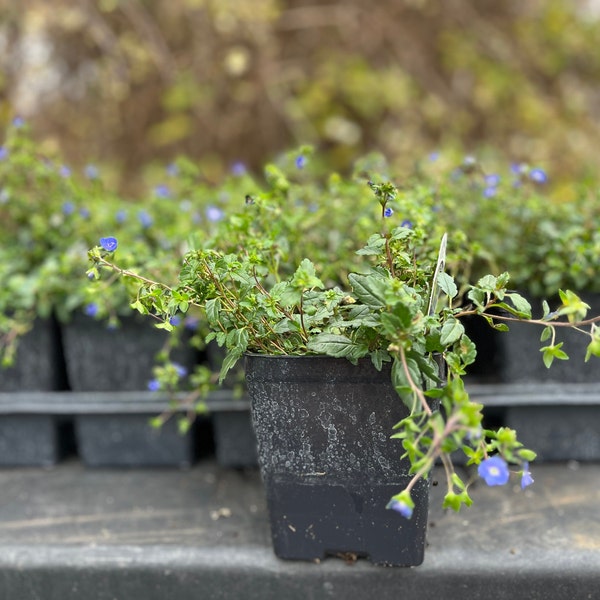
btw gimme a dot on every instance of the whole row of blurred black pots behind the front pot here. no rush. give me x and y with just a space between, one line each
91 357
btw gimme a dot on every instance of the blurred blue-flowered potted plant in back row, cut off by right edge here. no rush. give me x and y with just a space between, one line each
545 234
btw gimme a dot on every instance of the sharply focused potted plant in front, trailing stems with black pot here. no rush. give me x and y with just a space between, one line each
312 351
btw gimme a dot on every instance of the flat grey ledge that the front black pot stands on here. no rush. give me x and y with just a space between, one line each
71 532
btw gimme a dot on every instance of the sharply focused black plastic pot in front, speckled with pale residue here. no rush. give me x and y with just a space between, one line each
323 428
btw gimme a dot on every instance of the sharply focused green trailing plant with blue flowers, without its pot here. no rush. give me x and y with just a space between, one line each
402 308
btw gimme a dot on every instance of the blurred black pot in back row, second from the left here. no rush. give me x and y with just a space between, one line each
121 359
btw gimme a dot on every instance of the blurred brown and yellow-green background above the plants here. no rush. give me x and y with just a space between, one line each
130 83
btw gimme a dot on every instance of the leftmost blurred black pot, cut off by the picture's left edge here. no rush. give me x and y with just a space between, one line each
29 439
